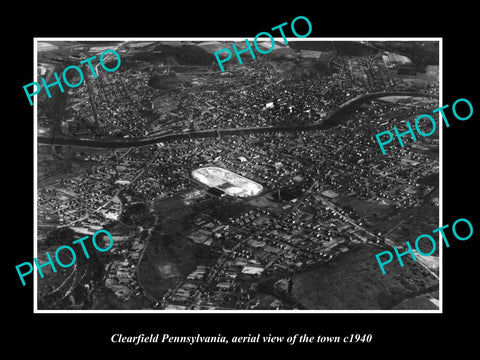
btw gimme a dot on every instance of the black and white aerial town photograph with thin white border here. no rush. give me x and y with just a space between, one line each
199 182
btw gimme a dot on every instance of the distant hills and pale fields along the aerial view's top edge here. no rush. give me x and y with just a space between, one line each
297 56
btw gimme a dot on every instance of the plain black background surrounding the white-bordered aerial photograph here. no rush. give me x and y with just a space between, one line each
406 334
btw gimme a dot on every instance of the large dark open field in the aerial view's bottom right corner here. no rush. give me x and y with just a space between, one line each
355 282
